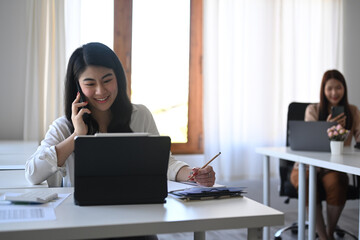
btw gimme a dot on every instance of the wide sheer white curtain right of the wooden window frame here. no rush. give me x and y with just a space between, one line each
259 56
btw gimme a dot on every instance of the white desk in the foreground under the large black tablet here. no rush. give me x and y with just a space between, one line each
74 222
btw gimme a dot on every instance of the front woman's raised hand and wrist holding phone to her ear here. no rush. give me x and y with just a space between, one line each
78 110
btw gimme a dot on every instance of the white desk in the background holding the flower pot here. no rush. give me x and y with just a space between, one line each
349 162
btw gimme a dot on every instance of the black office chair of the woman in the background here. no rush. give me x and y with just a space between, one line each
296 111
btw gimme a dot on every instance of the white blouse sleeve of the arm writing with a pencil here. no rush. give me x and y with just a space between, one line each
143 121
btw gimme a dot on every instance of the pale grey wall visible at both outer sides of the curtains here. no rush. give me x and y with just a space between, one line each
12 61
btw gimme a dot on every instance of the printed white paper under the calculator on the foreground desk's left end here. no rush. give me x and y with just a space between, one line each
10 212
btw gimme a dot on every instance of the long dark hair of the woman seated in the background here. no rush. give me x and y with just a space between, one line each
324 102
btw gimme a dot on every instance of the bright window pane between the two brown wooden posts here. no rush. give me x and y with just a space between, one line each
160 64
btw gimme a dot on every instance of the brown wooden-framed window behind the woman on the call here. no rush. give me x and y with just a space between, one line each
188 139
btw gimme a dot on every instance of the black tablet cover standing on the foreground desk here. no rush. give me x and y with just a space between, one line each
121 169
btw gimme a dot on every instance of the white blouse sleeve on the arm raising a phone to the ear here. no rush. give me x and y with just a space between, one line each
42 165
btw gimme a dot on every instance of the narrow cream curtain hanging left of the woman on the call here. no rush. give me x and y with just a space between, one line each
45 66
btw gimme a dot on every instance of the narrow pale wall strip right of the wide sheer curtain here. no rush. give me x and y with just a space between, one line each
352 49
